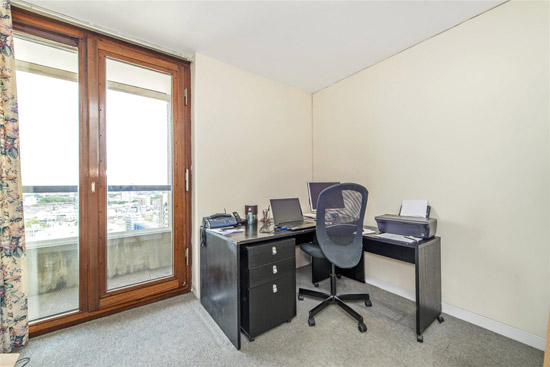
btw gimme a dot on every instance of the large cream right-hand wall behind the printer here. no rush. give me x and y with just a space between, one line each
461 119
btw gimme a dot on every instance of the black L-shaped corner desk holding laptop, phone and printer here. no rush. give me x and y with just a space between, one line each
223 257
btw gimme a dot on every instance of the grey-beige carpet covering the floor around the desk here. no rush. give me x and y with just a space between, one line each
179 332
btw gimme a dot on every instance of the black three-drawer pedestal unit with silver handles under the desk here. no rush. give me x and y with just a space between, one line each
268 281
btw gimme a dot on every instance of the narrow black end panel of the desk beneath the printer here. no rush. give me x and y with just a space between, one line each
428 285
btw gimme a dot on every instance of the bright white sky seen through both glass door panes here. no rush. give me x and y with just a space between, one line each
137 135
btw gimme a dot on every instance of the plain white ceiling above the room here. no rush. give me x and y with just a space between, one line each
306 44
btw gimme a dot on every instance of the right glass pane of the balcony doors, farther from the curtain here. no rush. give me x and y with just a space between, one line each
139 174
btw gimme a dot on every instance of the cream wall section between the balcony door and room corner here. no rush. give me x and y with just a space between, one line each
251 143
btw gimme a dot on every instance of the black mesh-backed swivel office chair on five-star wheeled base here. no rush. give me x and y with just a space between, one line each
340 215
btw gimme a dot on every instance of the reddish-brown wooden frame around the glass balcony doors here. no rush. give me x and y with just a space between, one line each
94 301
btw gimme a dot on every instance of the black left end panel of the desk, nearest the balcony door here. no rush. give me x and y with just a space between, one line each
220 282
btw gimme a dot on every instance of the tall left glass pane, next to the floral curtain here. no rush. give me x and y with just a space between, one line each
49 133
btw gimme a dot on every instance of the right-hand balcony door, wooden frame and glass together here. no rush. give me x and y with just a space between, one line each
138 125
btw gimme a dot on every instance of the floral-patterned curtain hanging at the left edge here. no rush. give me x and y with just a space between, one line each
14 326
